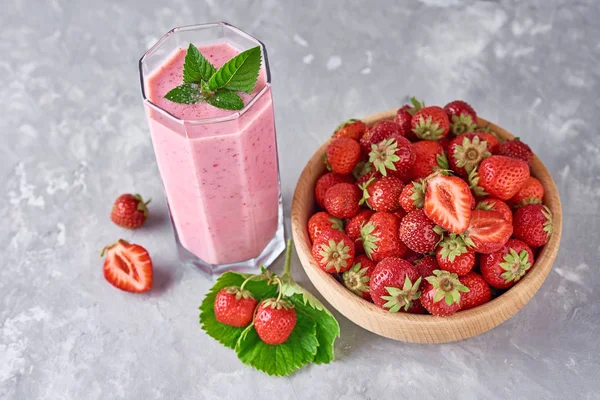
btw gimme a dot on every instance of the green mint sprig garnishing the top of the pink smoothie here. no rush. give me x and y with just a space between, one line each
203 82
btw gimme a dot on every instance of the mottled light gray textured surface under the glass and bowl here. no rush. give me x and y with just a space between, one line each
74 136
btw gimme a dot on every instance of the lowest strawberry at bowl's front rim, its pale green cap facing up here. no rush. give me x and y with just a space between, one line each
441 294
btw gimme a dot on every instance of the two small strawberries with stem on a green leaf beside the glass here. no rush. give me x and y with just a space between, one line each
272 323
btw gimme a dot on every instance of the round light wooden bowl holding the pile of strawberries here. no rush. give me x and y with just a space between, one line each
414 327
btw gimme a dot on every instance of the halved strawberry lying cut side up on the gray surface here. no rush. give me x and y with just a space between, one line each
128 267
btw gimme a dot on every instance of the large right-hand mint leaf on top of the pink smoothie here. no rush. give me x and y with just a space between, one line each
238 74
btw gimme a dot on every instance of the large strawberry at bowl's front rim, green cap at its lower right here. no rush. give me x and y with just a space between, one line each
394 284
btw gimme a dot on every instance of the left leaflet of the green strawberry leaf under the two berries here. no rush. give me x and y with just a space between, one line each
225 334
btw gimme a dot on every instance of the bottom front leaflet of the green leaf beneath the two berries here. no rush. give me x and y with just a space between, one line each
283 359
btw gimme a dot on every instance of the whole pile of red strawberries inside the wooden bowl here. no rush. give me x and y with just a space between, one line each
429 212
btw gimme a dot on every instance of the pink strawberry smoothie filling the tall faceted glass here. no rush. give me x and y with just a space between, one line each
220 177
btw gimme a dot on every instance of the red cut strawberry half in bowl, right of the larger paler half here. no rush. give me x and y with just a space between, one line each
487 232
